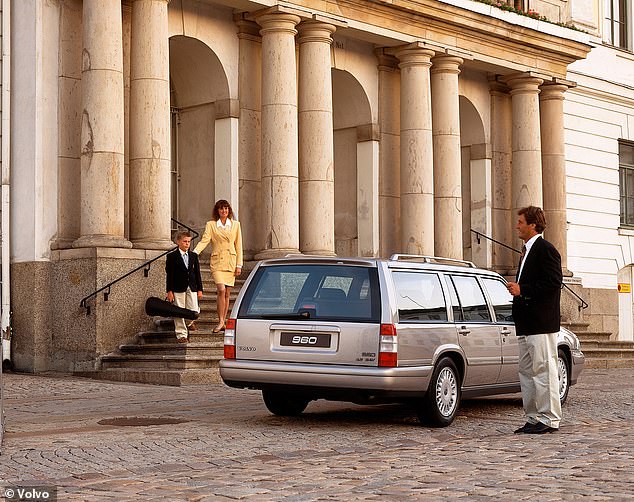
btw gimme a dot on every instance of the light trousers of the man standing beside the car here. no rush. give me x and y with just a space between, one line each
539 378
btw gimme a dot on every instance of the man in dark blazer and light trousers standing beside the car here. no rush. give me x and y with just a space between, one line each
536 312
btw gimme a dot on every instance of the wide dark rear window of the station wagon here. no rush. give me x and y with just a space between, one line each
308 292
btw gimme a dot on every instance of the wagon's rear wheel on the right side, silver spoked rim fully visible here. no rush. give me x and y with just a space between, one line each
440 404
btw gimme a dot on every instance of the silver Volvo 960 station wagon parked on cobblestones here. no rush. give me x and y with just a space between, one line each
423 330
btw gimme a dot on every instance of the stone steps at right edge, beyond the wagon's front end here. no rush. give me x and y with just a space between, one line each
600 350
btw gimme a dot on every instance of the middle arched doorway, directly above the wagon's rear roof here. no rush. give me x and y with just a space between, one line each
353 165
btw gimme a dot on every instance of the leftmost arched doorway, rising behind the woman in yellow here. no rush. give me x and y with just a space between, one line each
198 84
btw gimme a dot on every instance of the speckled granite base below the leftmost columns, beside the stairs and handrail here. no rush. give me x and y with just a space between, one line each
52 332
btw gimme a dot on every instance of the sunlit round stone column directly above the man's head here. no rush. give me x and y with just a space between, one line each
526 142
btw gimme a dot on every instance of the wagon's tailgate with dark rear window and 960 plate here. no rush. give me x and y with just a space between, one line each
322 313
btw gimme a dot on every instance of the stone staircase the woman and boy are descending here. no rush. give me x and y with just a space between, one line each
157 358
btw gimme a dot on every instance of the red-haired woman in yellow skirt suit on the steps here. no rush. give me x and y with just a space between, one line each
225 236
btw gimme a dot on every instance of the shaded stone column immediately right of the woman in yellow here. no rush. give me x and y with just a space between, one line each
249 146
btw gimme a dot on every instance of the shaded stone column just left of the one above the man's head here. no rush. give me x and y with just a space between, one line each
501 145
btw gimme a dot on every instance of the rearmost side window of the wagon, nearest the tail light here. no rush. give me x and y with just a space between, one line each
419 297
